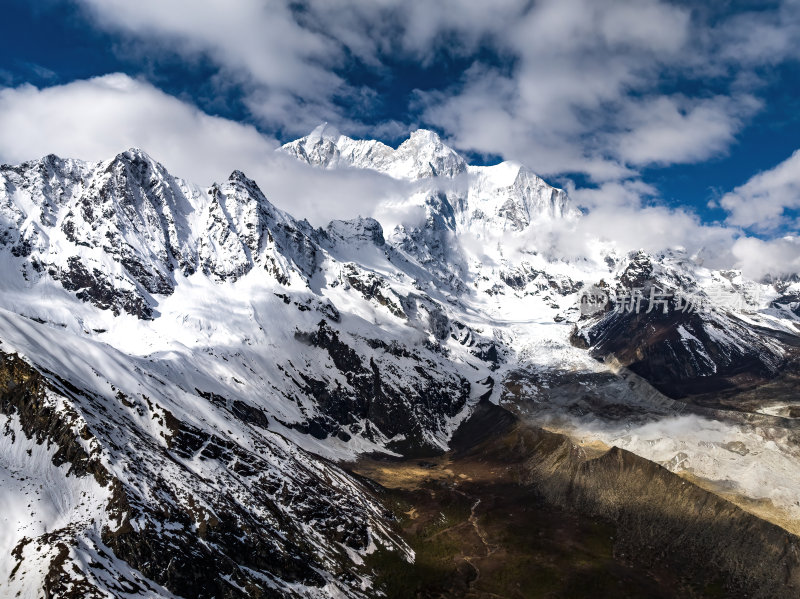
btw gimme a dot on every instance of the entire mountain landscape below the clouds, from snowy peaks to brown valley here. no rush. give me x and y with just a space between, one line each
202 396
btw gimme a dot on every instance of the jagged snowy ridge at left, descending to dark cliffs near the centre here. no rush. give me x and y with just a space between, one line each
222 268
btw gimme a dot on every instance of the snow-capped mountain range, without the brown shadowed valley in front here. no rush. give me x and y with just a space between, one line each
183 366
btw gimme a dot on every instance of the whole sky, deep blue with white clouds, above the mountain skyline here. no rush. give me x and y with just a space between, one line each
688 107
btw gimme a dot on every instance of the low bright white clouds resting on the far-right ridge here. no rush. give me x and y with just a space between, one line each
623 215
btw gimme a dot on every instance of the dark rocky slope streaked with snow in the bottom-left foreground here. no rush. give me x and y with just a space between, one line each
249 534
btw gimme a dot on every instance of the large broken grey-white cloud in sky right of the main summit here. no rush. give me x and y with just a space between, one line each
586 92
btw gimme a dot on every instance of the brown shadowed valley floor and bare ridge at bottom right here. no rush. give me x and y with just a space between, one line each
524 512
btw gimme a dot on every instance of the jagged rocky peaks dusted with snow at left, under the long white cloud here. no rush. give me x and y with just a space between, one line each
128 221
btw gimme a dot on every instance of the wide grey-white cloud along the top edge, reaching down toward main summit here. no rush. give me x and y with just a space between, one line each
285 55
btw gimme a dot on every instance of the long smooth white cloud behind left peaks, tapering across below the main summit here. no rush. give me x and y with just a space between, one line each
98 118
